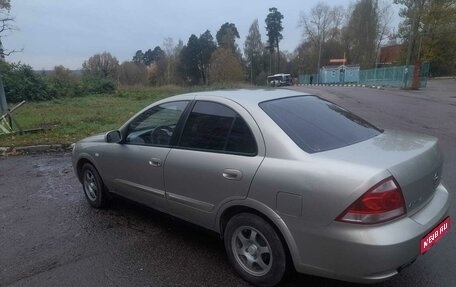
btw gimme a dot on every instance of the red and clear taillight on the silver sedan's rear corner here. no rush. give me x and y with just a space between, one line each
383 202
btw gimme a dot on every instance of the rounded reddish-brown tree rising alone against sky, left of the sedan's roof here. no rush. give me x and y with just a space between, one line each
102 65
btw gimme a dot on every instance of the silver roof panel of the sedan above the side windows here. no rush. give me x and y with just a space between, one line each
248 96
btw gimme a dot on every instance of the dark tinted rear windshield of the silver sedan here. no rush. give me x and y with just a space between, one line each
317 125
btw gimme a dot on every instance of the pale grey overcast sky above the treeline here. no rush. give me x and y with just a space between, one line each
67 32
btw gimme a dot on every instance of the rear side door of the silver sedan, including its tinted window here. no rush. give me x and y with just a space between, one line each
217 156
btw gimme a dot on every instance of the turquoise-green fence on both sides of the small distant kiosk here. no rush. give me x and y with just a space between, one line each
389 76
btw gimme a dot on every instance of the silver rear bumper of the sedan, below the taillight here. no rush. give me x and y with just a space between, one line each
364 253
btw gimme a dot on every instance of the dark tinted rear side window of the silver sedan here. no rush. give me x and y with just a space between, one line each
215 127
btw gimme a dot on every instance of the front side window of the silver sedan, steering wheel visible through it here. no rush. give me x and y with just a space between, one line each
156 125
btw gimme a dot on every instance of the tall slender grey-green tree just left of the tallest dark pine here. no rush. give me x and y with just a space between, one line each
253 50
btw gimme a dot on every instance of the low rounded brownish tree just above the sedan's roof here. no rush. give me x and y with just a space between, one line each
225 67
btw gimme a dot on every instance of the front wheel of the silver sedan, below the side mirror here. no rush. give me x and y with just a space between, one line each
93 186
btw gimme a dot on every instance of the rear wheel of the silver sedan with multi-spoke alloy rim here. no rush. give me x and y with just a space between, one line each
255 250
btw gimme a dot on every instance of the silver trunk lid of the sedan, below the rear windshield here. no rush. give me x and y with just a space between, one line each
414 160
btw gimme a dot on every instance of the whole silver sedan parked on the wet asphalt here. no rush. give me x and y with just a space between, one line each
289 180
